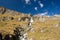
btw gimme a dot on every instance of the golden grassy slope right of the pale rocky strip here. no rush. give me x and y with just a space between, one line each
49 29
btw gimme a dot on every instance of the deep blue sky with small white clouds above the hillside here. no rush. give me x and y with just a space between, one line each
50 7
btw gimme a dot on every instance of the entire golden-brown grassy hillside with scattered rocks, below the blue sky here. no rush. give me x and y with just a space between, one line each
37 27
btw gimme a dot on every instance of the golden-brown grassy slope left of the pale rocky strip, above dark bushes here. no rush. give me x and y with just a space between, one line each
11 19
